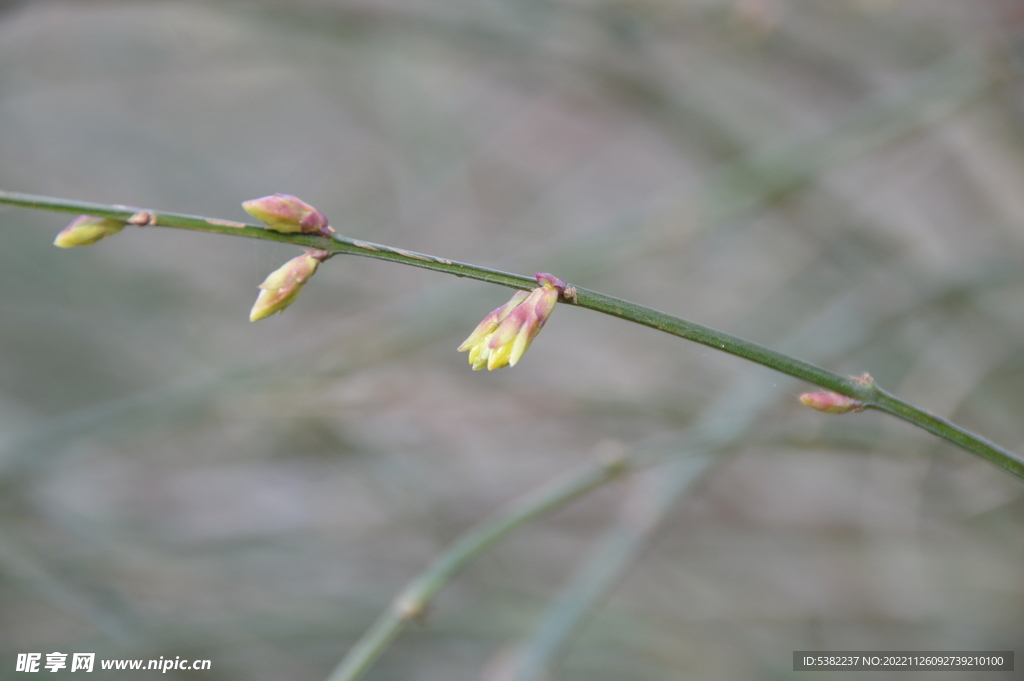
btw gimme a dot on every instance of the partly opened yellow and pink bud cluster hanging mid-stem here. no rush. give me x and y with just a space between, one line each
504 335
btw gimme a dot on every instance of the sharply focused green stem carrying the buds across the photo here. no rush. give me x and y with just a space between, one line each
865 391
